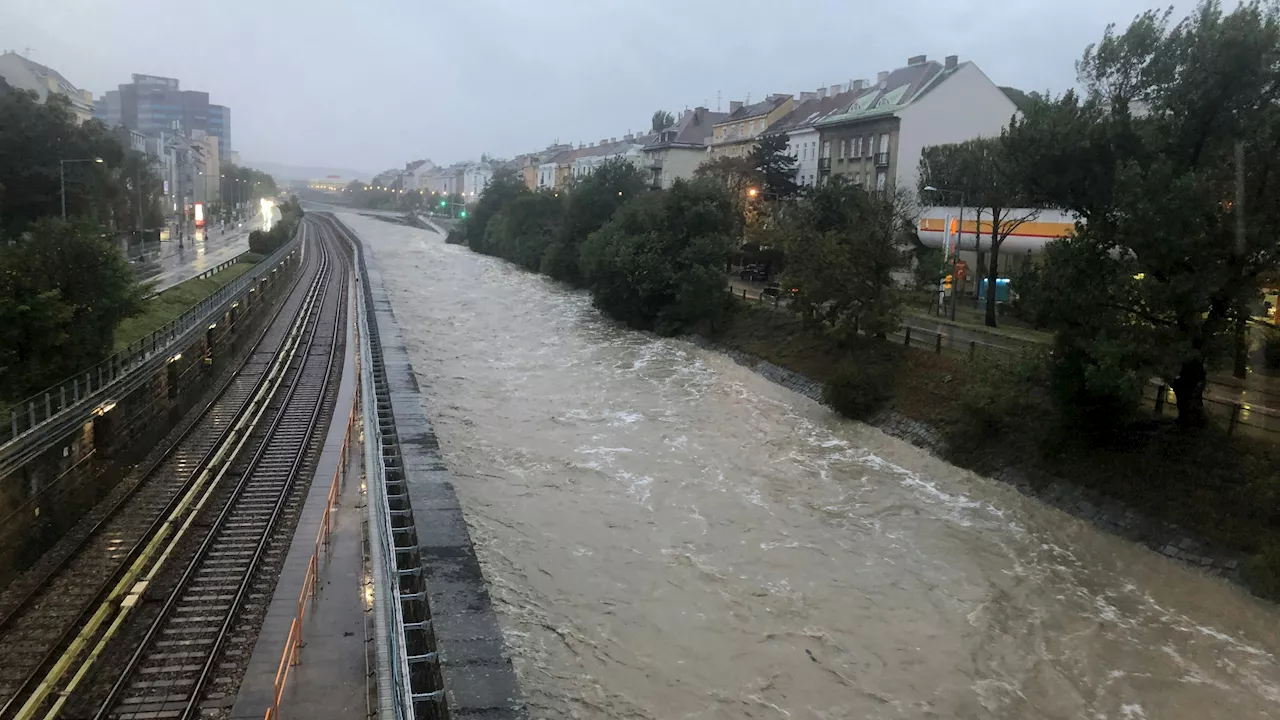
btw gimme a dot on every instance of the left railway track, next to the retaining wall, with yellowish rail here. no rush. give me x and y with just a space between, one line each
52 621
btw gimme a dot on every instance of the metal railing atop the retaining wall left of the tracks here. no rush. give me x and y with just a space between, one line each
29 416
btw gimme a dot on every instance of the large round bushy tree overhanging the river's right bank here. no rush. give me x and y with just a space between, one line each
659 265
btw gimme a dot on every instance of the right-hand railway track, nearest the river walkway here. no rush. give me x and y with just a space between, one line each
179 658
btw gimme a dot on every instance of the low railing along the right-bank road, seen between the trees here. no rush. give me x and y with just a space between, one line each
1240 417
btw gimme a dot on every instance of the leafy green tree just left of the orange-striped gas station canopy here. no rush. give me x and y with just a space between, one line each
843 247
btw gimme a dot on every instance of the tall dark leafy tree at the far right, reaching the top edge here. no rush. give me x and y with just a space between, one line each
1158 280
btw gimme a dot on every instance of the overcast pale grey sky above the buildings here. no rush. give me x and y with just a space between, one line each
372 84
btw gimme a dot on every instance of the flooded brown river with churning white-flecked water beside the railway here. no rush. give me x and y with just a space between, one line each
669 536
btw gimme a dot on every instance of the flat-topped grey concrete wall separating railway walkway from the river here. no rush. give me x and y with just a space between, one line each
478 678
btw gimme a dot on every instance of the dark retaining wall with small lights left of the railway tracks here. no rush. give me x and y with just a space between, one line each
53 490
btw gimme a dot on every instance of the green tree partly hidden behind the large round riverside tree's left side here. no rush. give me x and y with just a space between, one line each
591 203
